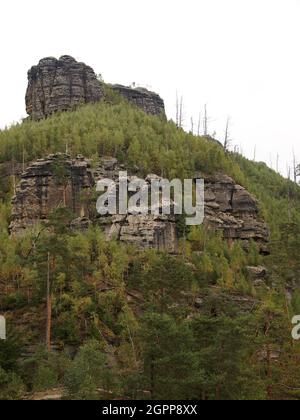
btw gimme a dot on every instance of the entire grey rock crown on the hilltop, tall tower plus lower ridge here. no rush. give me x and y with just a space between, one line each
63 84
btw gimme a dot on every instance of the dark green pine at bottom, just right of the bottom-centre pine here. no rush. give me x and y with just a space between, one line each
224 346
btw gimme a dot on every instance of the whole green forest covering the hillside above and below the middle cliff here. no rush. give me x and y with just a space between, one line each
135 324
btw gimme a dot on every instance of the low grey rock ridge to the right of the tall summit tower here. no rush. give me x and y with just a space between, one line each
149 102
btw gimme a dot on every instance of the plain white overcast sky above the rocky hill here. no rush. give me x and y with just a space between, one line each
240 57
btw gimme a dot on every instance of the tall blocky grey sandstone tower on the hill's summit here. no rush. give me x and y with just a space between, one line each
60 85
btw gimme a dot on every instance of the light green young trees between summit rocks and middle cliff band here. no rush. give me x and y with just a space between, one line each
115 129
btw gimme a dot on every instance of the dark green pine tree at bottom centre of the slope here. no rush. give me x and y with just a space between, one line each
171 363
